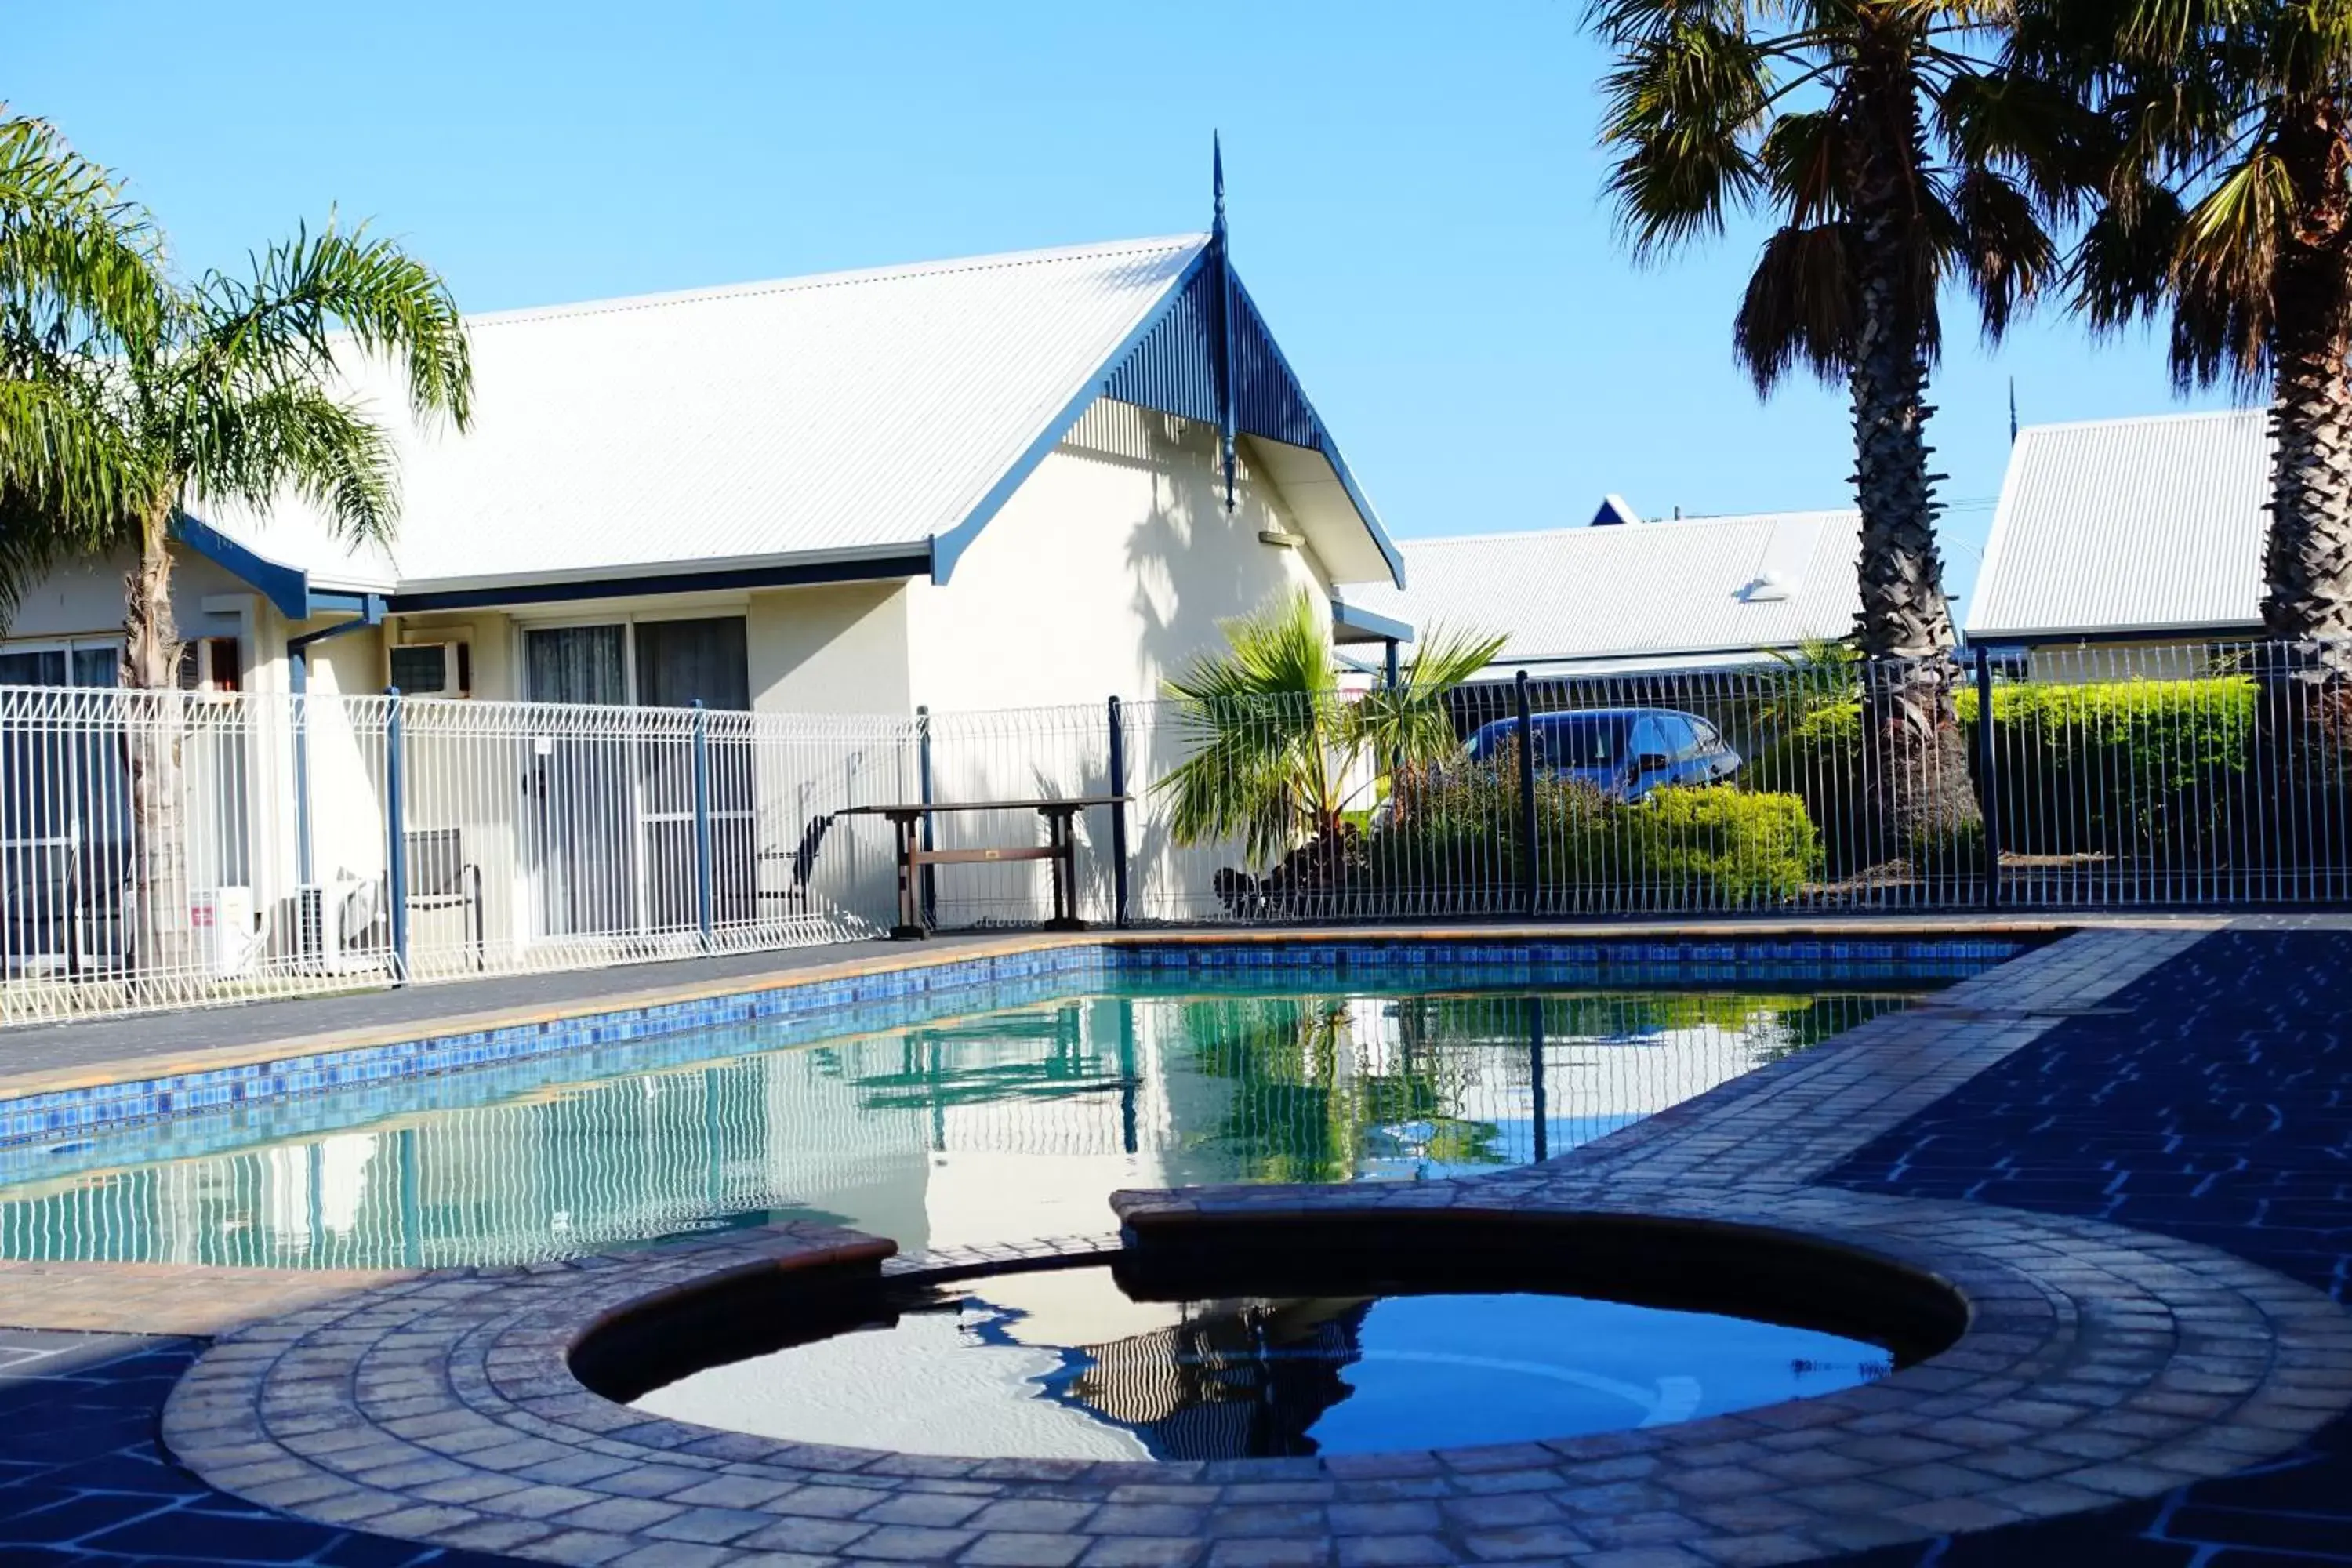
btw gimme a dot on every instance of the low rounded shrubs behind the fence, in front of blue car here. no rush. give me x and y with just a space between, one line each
1716 845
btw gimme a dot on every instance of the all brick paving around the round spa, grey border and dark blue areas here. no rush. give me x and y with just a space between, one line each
2196 1092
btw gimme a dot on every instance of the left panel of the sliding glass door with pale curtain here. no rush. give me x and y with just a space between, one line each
580 815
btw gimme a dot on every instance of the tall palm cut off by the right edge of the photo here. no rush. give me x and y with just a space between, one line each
2226 199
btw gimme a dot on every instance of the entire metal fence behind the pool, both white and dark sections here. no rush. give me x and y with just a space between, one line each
166 850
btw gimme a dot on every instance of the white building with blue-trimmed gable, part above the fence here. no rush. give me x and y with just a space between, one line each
803 495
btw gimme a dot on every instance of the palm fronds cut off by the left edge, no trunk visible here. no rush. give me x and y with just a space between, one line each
76 281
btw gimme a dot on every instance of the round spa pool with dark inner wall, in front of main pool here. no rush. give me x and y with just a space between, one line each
1276 1336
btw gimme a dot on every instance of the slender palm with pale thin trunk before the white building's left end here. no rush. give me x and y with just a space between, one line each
241 396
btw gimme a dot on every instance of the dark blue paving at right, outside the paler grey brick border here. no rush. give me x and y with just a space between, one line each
2217 1106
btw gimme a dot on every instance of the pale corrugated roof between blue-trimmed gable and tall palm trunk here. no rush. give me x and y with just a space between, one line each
1638 594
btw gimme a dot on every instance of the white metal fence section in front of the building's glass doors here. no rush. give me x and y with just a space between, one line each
168 850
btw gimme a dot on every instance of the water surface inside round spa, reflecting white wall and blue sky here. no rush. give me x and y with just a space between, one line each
1069 1367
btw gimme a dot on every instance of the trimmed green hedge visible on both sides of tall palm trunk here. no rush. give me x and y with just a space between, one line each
2111 768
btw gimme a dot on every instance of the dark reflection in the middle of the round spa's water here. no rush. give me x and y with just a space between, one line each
1238 1381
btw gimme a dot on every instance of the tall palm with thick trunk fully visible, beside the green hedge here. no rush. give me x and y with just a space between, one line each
1892 156
